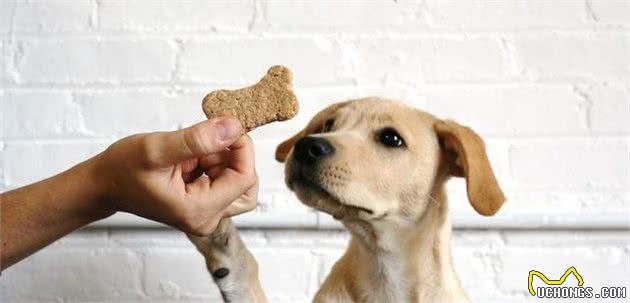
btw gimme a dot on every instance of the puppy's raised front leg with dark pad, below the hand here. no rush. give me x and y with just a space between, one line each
231 265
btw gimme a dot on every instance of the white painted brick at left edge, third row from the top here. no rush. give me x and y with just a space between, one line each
40 114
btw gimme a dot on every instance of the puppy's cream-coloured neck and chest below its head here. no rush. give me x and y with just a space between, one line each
407 264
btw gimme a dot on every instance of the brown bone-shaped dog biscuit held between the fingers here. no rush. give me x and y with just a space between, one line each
271 99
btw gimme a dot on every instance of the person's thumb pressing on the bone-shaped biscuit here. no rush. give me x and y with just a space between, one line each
199 140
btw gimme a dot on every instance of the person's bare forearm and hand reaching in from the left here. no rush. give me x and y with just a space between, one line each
188 179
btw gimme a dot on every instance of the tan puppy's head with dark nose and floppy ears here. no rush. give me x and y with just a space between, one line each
375 159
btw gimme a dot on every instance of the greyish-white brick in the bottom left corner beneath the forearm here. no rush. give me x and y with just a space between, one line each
74 275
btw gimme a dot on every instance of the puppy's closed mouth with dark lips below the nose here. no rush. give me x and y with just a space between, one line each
324 200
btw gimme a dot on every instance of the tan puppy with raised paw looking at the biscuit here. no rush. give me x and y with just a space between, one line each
379 167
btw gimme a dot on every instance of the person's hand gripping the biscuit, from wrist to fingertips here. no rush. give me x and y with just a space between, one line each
189 179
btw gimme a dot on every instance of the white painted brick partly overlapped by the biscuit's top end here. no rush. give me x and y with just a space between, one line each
245 60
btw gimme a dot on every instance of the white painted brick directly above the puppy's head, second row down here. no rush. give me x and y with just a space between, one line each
416 60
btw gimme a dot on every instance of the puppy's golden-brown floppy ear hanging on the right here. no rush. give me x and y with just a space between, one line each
465 155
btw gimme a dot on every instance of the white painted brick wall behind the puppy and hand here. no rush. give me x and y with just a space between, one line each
547 83
